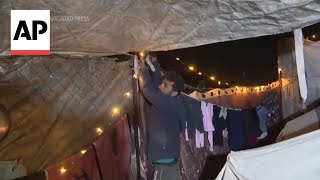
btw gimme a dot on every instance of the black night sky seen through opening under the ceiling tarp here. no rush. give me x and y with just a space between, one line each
247 62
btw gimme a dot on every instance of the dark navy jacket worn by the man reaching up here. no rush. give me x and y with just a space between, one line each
165 119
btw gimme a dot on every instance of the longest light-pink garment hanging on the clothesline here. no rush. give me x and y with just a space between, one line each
207 111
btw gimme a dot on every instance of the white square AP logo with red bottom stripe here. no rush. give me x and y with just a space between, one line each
30 32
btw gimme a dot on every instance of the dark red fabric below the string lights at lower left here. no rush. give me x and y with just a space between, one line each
113 159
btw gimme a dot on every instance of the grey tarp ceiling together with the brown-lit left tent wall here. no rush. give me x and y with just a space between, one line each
56 102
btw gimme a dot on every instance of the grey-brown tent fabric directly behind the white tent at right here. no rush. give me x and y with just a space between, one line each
304 124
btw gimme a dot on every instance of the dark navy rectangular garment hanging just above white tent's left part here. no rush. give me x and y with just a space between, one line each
235 129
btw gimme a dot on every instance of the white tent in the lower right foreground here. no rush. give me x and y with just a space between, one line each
297 158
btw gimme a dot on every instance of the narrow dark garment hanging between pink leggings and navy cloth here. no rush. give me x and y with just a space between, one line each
220 123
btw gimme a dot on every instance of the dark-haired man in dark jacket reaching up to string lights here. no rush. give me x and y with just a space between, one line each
165 120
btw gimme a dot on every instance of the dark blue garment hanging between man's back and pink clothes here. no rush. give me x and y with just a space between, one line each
193 115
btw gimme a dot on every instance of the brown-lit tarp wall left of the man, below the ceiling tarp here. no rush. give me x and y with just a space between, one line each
56 103
